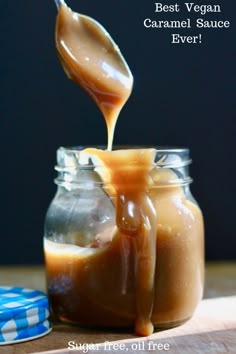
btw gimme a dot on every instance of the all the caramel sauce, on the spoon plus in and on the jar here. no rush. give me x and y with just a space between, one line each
146 268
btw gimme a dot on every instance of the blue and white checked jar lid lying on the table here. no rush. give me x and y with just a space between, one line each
24 314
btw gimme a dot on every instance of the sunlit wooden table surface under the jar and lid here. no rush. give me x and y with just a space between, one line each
211 330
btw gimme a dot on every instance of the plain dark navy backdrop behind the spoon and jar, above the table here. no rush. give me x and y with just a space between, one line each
183 95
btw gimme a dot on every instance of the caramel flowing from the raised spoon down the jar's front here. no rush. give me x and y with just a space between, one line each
91 58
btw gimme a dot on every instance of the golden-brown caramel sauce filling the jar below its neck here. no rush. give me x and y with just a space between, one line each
104 286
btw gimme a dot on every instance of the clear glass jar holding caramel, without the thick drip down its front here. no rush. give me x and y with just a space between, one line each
92 275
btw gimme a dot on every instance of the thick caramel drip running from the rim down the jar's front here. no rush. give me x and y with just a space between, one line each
136 220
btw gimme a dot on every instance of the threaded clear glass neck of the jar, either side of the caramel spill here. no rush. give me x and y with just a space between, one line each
75 167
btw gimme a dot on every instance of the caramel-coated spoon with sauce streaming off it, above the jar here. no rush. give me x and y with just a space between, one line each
92 59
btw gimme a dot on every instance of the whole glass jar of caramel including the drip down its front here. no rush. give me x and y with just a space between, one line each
144 264
